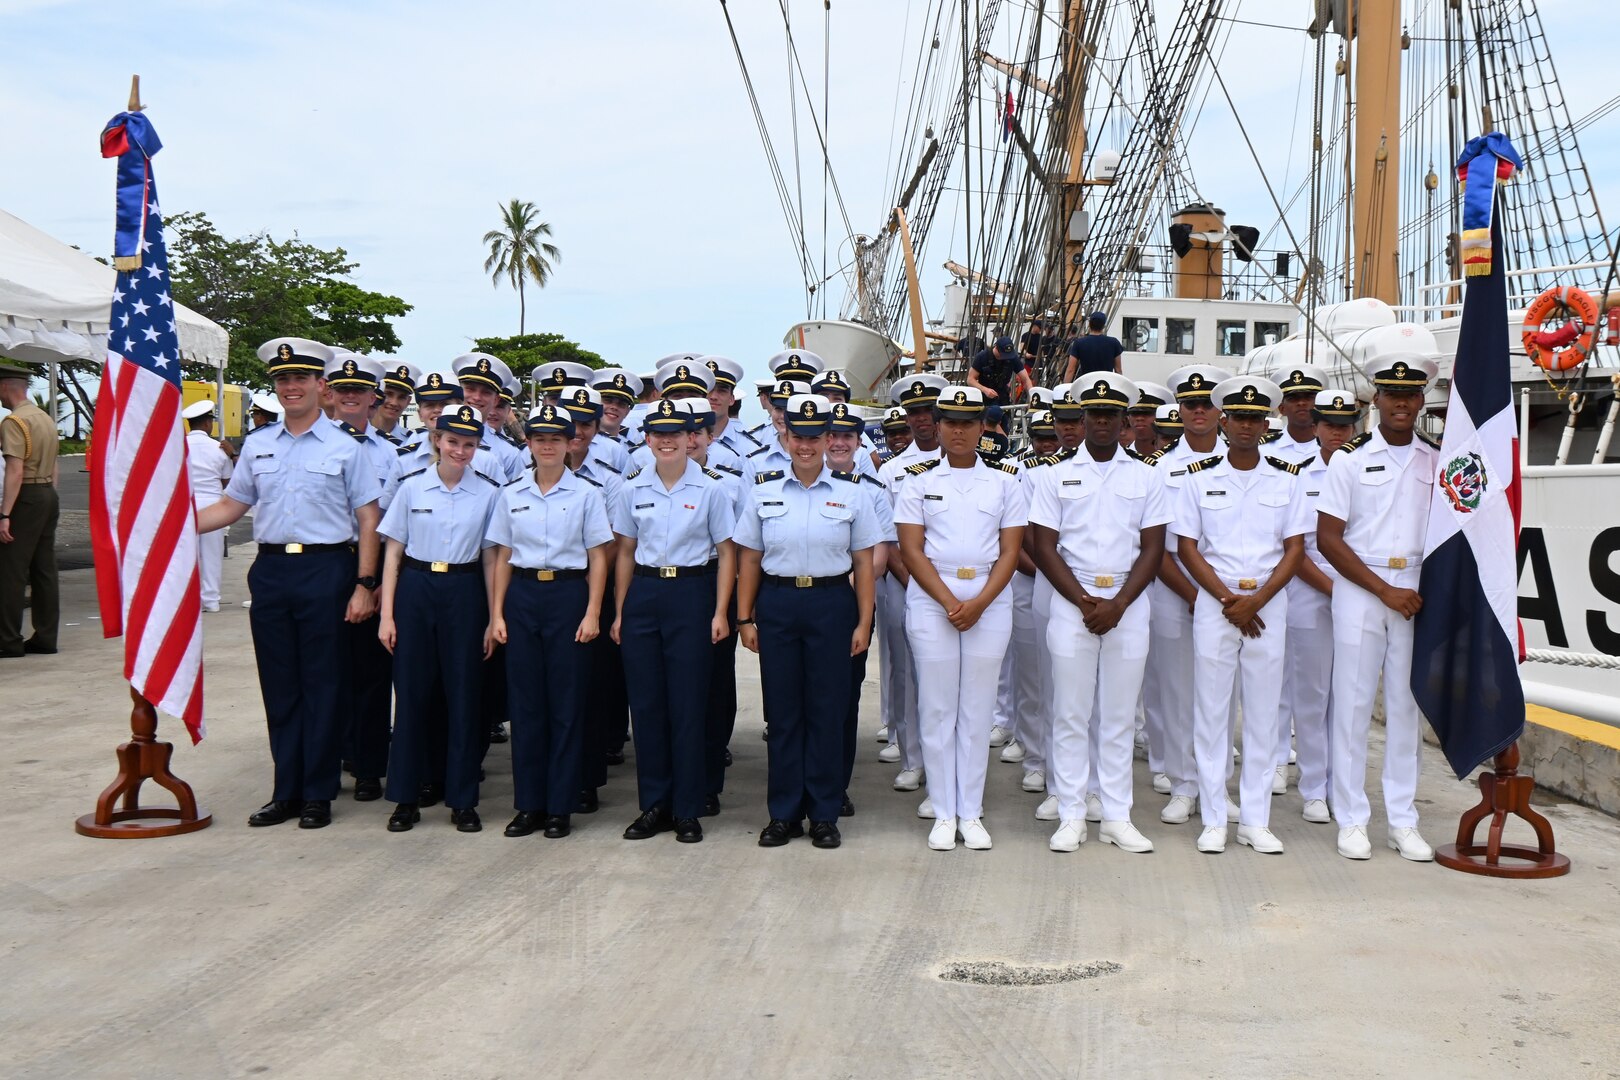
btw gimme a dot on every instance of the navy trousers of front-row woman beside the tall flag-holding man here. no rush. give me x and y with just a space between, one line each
440 621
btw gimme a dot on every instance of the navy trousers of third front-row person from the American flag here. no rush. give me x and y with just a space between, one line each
547 678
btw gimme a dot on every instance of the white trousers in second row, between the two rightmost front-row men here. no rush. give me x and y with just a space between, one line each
1308 681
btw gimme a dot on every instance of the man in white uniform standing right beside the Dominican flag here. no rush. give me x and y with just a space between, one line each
1371 524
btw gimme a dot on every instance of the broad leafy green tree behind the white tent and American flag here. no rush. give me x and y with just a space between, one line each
260 287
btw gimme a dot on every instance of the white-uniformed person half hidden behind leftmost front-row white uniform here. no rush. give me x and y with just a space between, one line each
914 398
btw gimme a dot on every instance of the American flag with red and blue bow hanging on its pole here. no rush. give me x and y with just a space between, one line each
143 529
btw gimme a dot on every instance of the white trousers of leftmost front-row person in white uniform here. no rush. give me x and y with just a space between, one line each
957 692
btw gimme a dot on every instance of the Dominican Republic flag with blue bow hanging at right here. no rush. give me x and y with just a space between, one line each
1469 644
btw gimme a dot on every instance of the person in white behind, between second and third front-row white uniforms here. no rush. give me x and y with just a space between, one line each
1169 686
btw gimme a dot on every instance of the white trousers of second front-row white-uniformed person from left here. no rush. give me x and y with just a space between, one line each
1096 682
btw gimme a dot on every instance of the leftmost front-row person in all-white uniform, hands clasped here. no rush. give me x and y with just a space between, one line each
961 527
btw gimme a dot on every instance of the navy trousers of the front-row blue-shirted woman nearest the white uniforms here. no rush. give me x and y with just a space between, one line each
804 679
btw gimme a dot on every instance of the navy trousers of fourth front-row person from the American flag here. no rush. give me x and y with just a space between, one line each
668 655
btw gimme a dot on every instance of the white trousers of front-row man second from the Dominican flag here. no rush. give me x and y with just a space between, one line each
1230 663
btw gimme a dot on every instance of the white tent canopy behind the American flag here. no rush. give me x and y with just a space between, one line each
56 302
